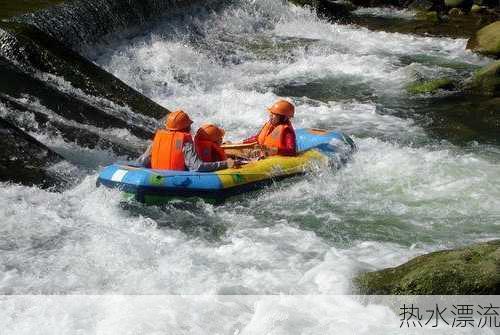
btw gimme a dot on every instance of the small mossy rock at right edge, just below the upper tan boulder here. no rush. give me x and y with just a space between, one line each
485 81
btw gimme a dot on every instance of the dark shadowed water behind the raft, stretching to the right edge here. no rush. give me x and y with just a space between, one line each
457 118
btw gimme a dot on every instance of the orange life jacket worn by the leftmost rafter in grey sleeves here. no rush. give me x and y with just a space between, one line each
166 153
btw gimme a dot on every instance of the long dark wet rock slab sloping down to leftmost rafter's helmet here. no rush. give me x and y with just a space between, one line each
41 52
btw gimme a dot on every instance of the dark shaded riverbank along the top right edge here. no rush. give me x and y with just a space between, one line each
424 18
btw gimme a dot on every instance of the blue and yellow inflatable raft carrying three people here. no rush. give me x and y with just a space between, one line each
315 147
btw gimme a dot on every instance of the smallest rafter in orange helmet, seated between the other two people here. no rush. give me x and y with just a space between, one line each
207 141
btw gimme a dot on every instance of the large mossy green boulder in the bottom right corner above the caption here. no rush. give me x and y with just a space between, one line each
470 270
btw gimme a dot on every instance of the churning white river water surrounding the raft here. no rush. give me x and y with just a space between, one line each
406 191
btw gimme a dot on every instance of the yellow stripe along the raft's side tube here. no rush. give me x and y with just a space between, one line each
274 166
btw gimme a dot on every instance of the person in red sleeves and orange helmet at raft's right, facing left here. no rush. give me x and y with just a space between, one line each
277 136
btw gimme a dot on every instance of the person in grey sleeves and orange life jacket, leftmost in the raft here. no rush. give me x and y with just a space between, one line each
172 148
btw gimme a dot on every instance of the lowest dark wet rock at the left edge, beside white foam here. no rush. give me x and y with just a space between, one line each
25 160
